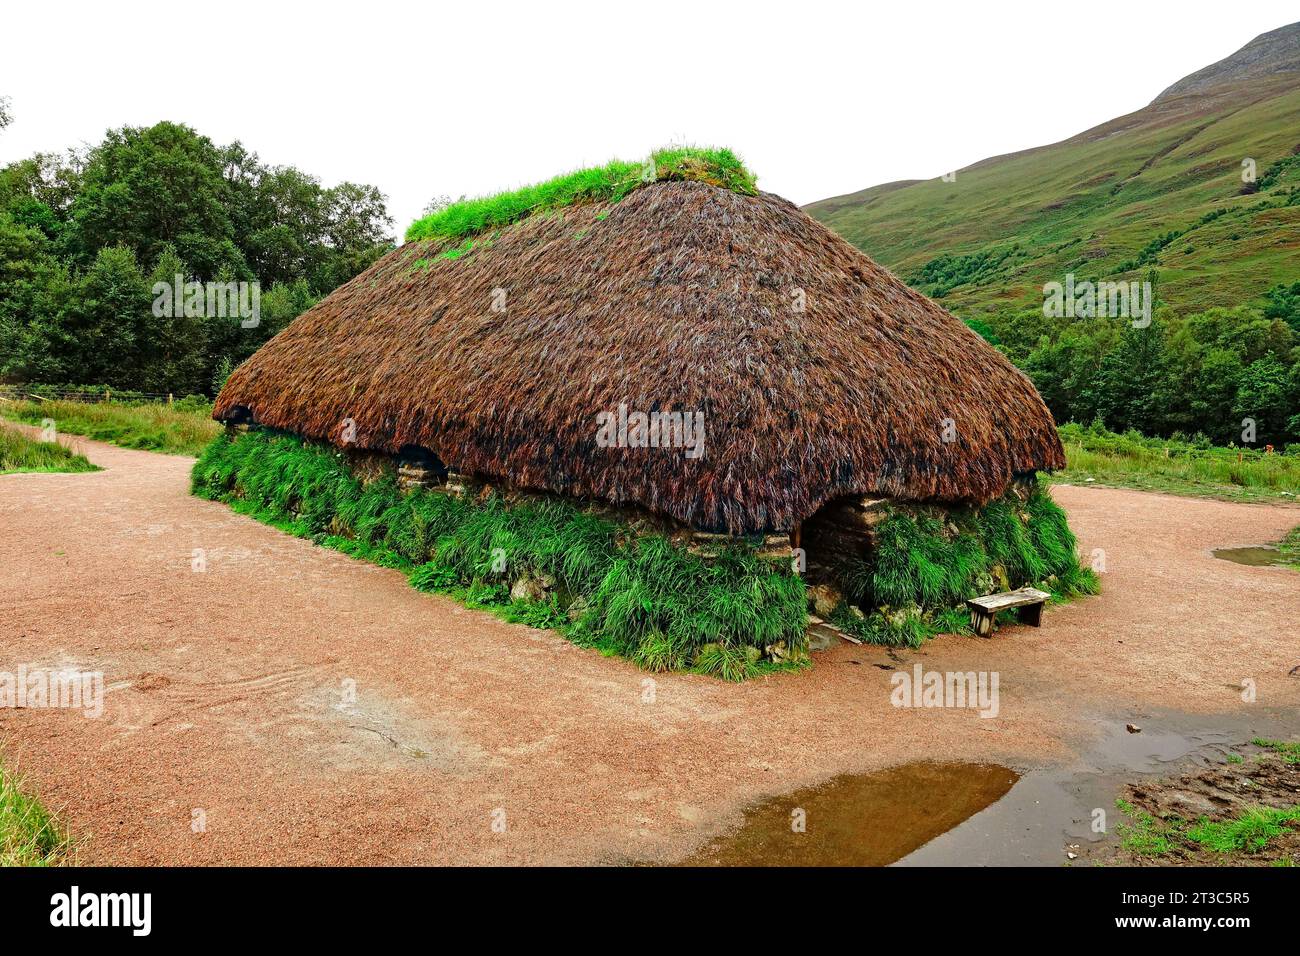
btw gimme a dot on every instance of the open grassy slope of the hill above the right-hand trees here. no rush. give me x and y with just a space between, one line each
1104 204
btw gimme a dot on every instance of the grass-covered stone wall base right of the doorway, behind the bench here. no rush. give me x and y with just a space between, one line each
928 564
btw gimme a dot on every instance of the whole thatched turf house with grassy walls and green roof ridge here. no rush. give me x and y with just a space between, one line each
660 410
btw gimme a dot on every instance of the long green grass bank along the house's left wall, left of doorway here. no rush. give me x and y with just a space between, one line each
643 599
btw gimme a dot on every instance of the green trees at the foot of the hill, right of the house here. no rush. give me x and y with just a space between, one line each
1214 374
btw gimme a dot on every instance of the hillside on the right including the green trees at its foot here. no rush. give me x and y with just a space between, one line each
1154 197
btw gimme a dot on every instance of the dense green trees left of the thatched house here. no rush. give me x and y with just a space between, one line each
86 236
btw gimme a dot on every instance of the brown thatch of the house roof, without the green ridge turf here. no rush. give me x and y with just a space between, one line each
682 297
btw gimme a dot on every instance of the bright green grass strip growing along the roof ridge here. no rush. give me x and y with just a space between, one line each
609 184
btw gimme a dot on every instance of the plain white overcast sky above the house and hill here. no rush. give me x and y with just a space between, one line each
424 100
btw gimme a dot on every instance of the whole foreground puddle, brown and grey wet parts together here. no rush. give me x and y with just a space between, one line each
981 815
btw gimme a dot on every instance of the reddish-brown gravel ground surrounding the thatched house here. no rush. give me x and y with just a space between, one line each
227 687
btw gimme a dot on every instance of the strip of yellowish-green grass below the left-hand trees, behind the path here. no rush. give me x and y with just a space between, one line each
183 429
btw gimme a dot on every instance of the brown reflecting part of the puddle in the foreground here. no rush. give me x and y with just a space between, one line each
865 820
